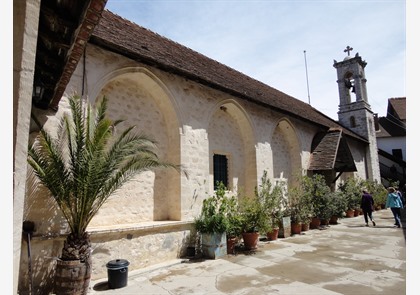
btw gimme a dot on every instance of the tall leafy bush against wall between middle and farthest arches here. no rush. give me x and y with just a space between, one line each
272 198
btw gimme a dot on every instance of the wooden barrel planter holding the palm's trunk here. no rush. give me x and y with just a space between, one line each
72 277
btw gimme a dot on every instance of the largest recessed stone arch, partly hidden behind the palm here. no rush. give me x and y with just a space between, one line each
139 97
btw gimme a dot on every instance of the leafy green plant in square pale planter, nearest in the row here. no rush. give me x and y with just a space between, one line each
213 223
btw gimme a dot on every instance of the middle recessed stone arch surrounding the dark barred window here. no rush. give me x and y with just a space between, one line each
230 133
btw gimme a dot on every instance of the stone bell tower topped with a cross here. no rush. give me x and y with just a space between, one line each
354 110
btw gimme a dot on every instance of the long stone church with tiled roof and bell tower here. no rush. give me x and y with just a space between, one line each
213 120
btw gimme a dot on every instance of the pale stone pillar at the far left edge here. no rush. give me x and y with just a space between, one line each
25 32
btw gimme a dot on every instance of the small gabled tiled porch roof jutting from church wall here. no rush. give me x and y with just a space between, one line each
332 152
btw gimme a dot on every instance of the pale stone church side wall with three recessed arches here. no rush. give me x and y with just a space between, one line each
148 220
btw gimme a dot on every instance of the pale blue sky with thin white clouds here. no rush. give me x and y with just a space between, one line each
289 45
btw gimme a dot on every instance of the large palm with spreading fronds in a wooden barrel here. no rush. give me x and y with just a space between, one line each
81 166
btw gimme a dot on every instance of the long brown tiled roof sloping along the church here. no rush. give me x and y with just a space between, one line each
119 35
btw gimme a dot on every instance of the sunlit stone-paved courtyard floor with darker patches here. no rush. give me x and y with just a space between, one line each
347 258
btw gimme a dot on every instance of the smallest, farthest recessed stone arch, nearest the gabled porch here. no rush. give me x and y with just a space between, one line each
286 149
